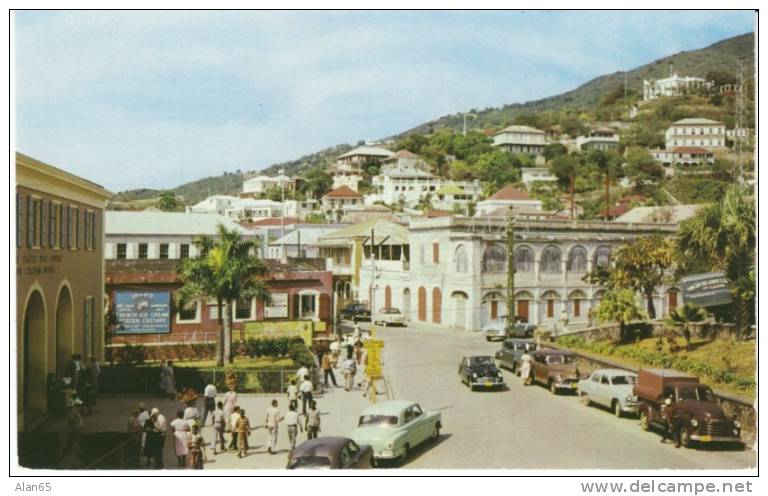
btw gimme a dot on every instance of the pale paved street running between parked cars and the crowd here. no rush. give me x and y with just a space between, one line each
526 428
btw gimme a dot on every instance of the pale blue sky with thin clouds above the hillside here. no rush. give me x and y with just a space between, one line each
156 99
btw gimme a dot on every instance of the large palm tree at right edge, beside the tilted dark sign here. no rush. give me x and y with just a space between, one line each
722 236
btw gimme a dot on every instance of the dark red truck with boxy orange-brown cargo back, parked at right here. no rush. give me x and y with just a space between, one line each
692 407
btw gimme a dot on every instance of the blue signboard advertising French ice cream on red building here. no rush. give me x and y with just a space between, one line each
143 312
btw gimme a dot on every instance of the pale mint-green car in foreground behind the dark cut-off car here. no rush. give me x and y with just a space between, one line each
394 428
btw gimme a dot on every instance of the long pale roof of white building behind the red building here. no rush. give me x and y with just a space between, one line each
166 223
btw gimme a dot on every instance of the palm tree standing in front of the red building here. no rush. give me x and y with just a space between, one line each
225 270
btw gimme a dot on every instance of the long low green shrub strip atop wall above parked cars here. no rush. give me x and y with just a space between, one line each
660 359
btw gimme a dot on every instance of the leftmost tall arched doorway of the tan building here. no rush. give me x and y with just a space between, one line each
33 354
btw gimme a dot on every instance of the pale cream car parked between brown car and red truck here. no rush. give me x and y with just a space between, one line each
612 388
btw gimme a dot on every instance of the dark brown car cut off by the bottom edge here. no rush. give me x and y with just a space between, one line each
331 452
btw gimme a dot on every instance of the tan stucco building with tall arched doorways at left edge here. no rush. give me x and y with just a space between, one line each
59 278
